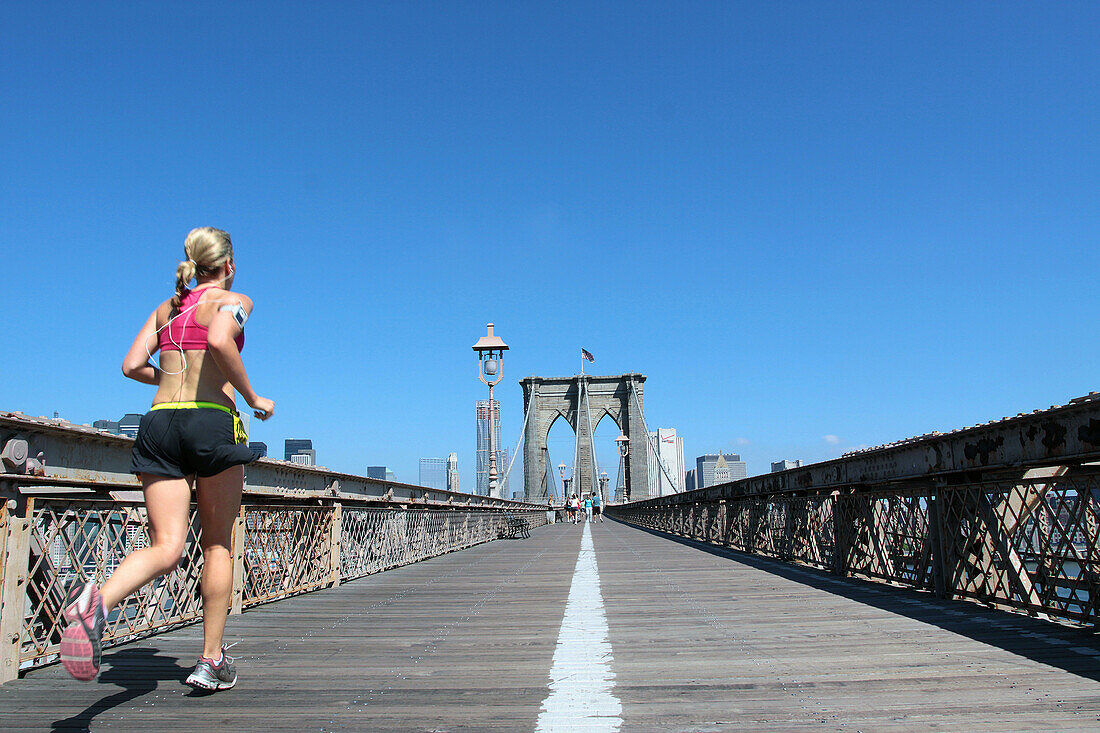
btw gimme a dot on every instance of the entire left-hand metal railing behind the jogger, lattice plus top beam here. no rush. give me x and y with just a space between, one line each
298 531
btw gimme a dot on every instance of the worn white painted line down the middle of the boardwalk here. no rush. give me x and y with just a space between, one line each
581 677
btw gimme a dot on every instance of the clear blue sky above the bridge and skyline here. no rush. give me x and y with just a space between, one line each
812 226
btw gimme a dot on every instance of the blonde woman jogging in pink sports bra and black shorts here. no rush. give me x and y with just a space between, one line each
192 439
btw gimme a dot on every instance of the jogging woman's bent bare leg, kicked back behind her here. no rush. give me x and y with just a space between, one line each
168 505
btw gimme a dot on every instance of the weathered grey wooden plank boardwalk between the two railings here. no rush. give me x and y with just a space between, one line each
701 641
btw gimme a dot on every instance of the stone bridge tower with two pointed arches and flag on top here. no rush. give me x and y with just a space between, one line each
579 400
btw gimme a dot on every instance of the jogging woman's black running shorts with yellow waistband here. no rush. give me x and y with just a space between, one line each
188 442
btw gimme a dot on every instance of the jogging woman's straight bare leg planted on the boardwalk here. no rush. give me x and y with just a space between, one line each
219 504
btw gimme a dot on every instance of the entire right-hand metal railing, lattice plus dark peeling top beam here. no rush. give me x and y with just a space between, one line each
1006 515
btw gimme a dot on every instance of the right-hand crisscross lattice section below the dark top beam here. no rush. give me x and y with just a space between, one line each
1031 545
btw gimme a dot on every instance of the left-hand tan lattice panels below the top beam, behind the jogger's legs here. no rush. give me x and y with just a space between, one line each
281 550
